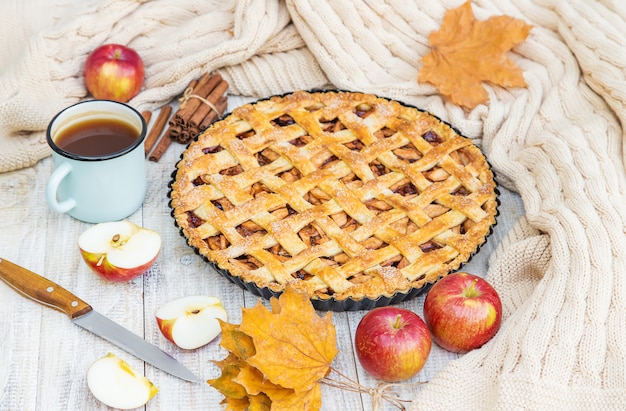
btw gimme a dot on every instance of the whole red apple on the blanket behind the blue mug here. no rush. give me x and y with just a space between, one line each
114 72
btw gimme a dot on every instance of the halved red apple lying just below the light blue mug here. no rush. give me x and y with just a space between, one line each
119 250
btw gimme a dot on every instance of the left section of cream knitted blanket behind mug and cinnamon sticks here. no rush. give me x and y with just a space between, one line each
251 41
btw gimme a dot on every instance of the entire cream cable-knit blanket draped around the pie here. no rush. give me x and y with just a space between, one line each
561 272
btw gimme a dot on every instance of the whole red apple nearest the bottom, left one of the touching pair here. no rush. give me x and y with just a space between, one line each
392 344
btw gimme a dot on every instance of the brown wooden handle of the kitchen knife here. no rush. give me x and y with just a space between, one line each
42 290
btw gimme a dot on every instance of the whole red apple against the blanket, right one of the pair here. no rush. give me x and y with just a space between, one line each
462 311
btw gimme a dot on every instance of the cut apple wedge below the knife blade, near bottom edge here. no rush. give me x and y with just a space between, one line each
113 382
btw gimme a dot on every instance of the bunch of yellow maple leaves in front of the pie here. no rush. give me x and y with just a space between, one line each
277 356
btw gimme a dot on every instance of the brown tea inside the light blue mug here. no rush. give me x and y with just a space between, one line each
97 137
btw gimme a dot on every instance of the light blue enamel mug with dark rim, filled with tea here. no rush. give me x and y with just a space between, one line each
106 179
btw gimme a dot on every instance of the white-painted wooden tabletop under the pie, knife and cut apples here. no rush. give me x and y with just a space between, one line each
44 357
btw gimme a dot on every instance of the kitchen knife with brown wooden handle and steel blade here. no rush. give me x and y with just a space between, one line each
53 295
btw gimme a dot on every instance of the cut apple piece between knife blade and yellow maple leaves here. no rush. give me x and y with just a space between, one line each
191 322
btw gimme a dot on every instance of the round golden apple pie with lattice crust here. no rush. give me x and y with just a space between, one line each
345 196
